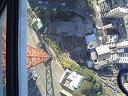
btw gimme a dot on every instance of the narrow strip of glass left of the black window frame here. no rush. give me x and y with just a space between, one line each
3 52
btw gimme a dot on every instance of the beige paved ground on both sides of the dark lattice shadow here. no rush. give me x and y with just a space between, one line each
57 72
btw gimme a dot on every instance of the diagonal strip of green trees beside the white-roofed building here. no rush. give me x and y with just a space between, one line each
92 83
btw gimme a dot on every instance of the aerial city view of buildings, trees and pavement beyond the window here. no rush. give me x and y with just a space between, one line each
86 42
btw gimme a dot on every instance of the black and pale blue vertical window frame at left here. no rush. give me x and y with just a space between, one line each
16 47
